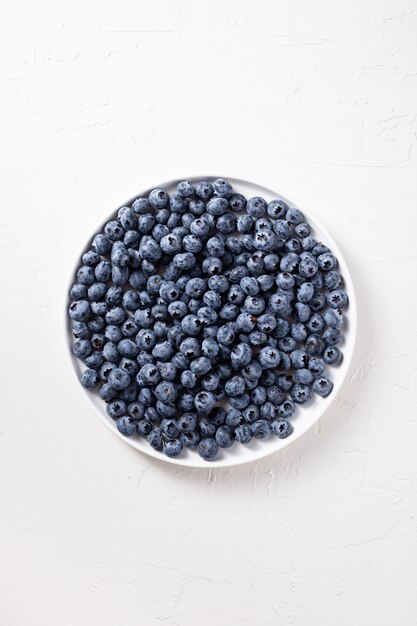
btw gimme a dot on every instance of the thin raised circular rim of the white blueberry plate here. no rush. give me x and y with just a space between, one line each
196 462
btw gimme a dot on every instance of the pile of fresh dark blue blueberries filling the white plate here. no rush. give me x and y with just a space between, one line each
204 318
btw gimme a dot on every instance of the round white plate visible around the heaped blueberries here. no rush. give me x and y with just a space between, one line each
305 417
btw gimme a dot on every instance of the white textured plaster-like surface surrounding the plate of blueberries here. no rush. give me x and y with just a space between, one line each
100 99
